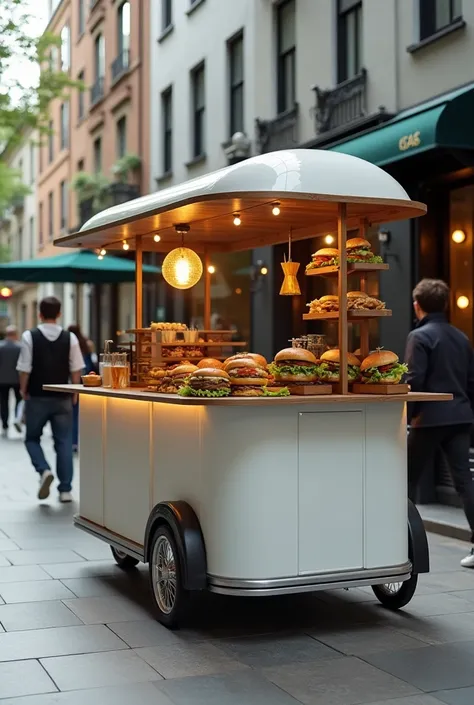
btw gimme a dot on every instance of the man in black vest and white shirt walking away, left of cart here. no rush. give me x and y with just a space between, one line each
49 355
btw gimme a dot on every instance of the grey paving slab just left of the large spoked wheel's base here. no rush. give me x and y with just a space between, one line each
102 610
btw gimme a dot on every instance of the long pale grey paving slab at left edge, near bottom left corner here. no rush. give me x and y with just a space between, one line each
60 641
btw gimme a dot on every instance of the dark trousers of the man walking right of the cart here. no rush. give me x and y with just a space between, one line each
455 442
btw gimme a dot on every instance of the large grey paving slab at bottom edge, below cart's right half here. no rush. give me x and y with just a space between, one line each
345 681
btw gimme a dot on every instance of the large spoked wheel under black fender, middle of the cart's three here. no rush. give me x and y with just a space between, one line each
165 574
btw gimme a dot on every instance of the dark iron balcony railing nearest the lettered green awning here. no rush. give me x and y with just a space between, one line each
338 107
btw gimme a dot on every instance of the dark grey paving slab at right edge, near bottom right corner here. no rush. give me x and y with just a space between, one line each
432 668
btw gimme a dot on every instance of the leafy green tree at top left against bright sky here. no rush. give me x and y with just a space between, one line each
24 106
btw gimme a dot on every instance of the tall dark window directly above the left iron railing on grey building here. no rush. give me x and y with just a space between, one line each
286 46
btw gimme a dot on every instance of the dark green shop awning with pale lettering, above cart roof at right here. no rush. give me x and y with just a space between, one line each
446 121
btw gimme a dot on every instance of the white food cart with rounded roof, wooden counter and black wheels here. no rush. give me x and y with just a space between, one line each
253 496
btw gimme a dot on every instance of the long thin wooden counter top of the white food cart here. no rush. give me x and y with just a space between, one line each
147 395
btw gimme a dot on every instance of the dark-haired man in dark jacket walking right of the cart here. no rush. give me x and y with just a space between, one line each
440 359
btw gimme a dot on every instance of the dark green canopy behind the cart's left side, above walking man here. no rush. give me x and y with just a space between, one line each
79 267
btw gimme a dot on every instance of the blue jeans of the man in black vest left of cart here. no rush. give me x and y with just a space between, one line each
58 411
